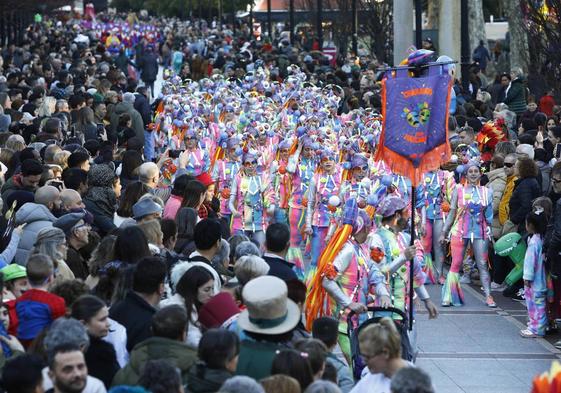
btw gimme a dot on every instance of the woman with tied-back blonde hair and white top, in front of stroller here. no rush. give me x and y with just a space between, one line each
380 347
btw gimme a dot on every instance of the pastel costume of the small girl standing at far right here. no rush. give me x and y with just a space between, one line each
535 293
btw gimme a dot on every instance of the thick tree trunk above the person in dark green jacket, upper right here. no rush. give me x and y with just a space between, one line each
519 51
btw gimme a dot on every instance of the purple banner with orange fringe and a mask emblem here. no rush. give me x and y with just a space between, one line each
414 138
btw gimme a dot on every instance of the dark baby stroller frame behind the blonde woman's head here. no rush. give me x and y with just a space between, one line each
407 349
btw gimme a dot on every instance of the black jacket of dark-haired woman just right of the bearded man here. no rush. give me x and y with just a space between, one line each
101 361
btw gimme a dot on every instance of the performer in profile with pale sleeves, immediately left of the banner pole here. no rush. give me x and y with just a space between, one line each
395 256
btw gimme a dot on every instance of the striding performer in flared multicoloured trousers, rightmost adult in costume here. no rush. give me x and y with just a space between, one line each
469 223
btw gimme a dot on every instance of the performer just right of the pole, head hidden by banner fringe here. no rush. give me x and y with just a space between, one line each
435 194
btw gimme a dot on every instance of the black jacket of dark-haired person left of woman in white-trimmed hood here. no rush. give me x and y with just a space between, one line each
135 314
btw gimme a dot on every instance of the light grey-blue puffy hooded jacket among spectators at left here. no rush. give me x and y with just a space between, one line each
36 217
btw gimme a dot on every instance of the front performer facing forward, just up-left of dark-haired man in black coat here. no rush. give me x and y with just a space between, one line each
250 200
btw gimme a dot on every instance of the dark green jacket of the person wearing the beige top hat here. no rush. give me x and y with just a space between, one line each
256 358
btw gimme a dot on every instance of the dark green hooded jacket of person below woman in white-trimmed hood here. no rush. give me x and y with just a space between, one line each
154 348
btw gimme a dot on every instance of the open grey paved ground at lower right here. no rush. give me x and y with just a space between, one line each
475 349
